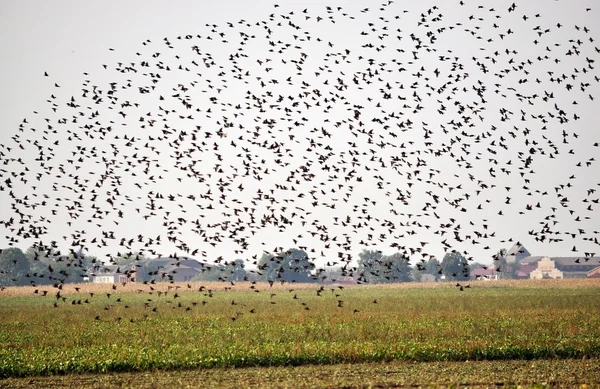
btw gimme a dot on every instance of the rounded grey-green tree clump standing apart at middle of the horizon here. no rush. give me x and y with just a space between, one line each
292 265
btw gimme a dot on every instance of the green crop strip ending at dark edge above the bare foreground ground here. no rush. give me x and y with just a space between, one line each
376 324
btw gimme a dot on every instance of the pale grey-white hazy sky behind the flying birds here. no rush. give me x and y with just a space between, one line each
368 125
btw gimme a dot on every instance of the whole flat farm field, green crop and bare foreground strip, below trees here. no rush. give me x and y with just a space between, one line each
508 331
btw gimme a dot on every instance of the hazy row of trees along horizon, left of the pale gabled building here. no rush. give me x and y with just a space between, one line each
38 267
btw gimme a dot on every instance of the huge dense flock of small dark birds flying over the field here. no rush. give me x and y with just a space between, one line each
284 138
